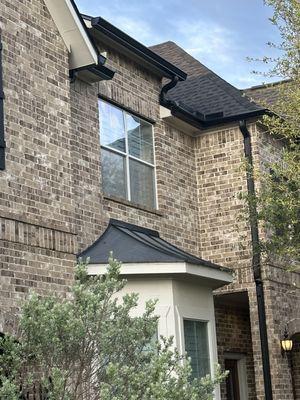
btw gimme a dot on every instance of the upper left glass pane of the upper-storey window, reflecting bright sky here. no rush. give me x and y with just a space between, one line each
112 130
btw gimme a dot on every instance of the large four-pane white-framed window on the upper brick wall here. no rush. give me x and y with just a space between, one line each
127 156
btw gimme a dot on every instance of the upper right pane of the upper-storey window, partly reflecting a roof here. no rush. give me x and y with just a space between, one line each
140 141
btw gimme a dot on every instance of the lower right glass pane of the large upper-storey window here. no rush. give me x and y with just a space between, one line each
142 183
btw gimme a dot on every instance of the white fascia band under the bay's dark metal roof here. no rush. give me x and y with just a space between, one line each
148 269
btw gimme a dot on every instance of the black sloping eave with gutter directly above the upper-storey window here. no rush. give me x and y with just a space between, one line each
104 30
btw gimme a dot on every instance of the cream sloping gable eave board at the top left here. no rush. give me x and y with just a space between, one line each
69 25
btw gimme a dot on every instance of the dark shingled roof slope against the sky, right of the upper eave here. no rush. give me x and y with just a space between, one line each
204 94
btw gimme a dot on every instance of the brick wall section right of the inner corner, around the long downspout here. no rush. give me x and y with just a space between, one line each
224 238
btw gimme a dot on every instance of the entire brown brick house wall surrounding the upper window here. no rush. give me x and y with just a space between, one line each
51 202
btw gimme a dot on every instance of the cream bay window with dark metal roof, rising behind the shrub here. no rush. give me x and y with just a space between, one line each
182 283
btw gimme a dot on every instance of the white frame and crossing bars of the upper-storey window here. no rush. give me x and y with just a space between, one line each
128 156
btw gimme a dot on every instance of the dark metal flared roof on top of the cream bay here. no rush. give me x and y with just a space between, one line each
134 244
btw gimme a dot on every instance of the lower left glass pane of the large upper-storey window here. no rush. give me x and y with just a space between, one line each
113 174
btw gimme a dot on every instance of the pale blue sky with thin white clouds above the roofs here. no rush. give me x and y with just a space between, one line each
215 42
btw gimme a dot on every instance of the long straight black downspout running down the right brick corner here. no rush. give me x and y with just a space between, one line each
256 262
